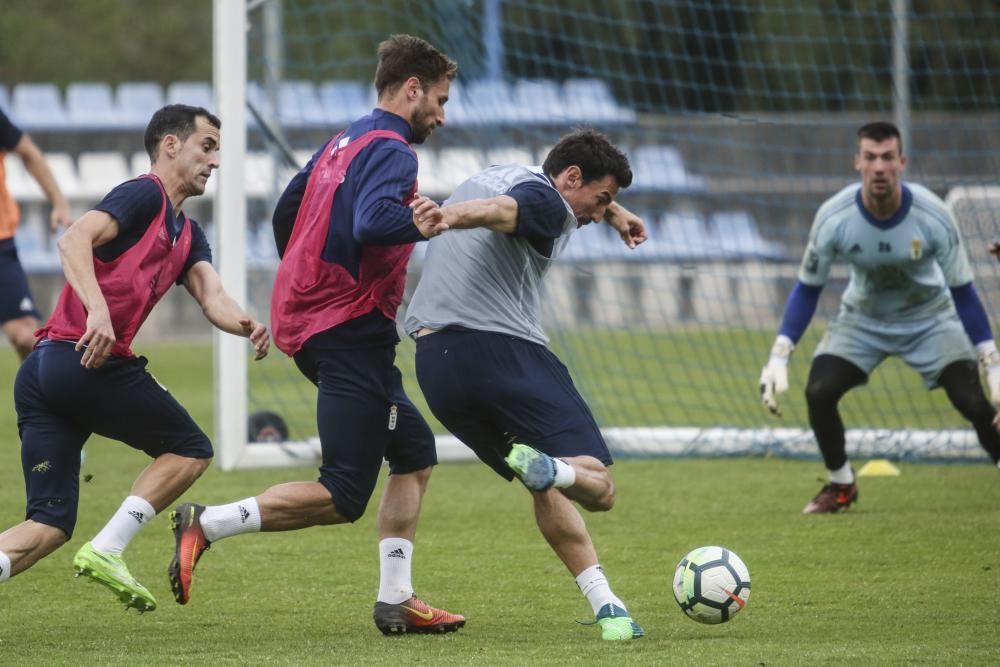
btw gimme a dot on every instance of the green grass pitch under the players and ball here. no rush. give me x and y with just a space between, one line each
907 576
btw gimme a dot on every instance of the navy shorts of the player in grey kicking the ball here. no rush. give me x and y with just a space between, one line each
491 390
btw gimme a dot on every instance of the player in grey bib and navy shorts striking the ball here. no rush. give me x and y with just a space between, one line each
481 359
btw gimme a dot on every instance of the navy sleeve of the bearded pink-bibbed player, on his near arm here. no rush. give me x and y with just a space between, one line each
386 179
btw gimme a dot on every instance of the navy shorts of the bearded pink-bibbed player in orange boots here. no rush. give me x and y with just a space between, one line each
363 416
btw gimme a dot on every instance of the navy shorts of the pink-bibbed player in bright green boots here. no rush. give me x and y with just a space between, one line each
60 403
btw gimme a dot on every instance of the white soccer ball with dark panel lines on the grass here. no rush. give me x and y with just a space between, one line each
711 584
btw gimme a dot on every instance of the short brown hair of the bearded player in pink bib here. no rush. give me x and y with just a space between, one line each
403 56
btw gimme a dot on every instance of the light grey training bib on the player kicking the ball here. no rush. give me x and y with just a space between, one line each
485 280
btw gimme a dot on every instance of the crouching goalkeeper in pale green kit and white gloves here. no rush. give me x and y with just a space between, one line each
910 294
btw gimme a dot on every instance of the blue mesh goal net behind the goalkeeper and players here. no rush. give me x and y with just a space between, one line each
739 120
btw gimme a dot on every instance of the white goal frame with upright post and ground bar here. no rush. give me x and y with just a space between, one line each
231 353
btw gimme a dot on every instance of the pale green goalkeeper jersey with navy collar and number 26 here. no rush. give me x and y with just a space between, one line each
900 268
